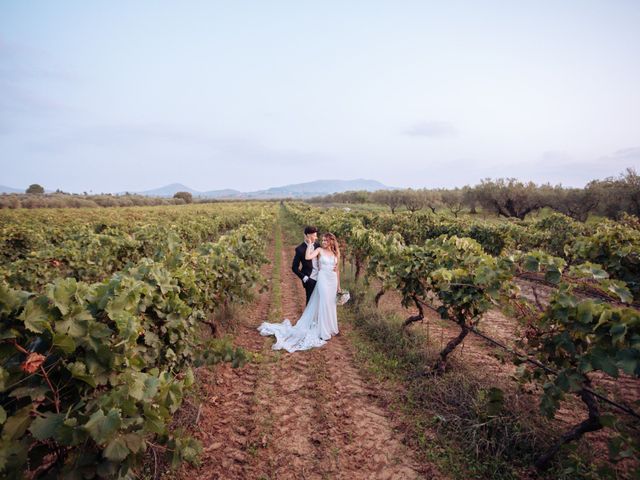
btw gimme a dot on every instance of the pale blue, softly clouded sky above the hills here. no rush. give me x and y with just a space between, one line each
112 96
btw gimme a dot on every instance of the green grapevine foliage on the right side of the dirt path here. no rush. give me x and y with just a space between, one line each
424 259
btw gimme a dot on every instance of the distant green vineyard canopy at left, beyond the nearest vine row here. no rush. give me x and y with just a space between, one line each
38 246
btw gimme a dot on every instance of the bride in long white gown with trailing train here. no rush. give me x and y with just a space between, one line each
319 321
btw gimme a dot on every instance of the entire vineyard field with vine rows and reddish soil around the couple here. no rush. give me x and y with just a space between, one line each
472 347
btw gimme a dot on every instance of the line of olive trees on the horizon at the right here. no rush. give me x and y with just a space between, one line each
611 197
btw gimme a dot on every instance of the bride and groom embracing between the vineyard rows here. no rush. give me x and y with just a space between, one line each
317 265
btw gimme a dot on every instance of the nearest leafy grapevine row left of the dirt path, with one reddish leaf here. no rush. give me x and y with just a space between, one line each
95 371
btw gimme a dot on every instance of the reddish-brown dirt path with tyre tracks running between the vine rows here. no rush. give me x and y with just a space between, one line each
306 415
